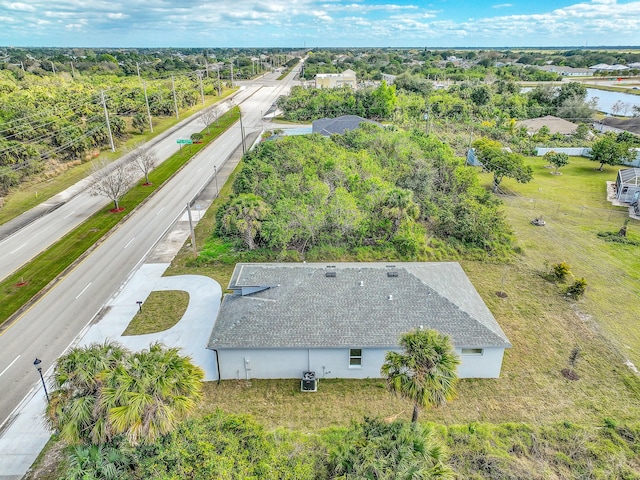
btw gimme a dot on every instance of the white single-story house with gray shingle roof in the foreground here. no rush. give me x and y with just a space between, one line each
340 320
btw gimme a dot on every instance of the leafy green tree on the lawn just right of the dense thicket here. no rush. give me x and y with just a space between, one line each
501 162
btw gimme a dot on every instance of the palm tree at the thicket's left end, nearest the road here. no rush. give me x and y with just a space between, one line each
244 215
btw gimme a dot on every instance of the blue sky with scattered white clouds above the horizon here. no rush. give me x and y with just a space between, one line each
318 23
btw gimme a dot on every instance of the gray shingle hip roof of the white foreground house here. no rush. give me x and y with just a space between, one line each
361 305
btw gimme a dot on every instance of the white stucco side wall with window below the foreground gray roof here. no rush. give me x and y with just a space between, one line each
334 363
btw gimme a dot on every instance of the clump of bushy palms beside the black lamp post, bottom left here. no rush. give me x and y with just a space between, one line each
103 391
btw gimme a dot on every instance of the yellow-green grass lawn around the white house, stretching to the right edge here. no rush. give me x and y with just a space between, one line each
543 325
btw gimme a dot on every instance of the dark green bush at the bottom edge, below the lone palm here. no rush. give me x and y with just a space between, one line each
374 449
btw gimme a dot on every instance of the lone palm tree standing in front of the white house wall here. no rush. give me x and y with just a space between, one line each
425 372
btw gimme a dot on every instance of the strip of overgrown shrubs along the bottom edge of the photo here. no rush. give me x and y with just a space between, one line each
220 445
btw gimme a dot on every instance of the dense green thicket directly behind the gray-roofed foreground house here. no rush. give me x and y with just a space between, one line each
372 188
